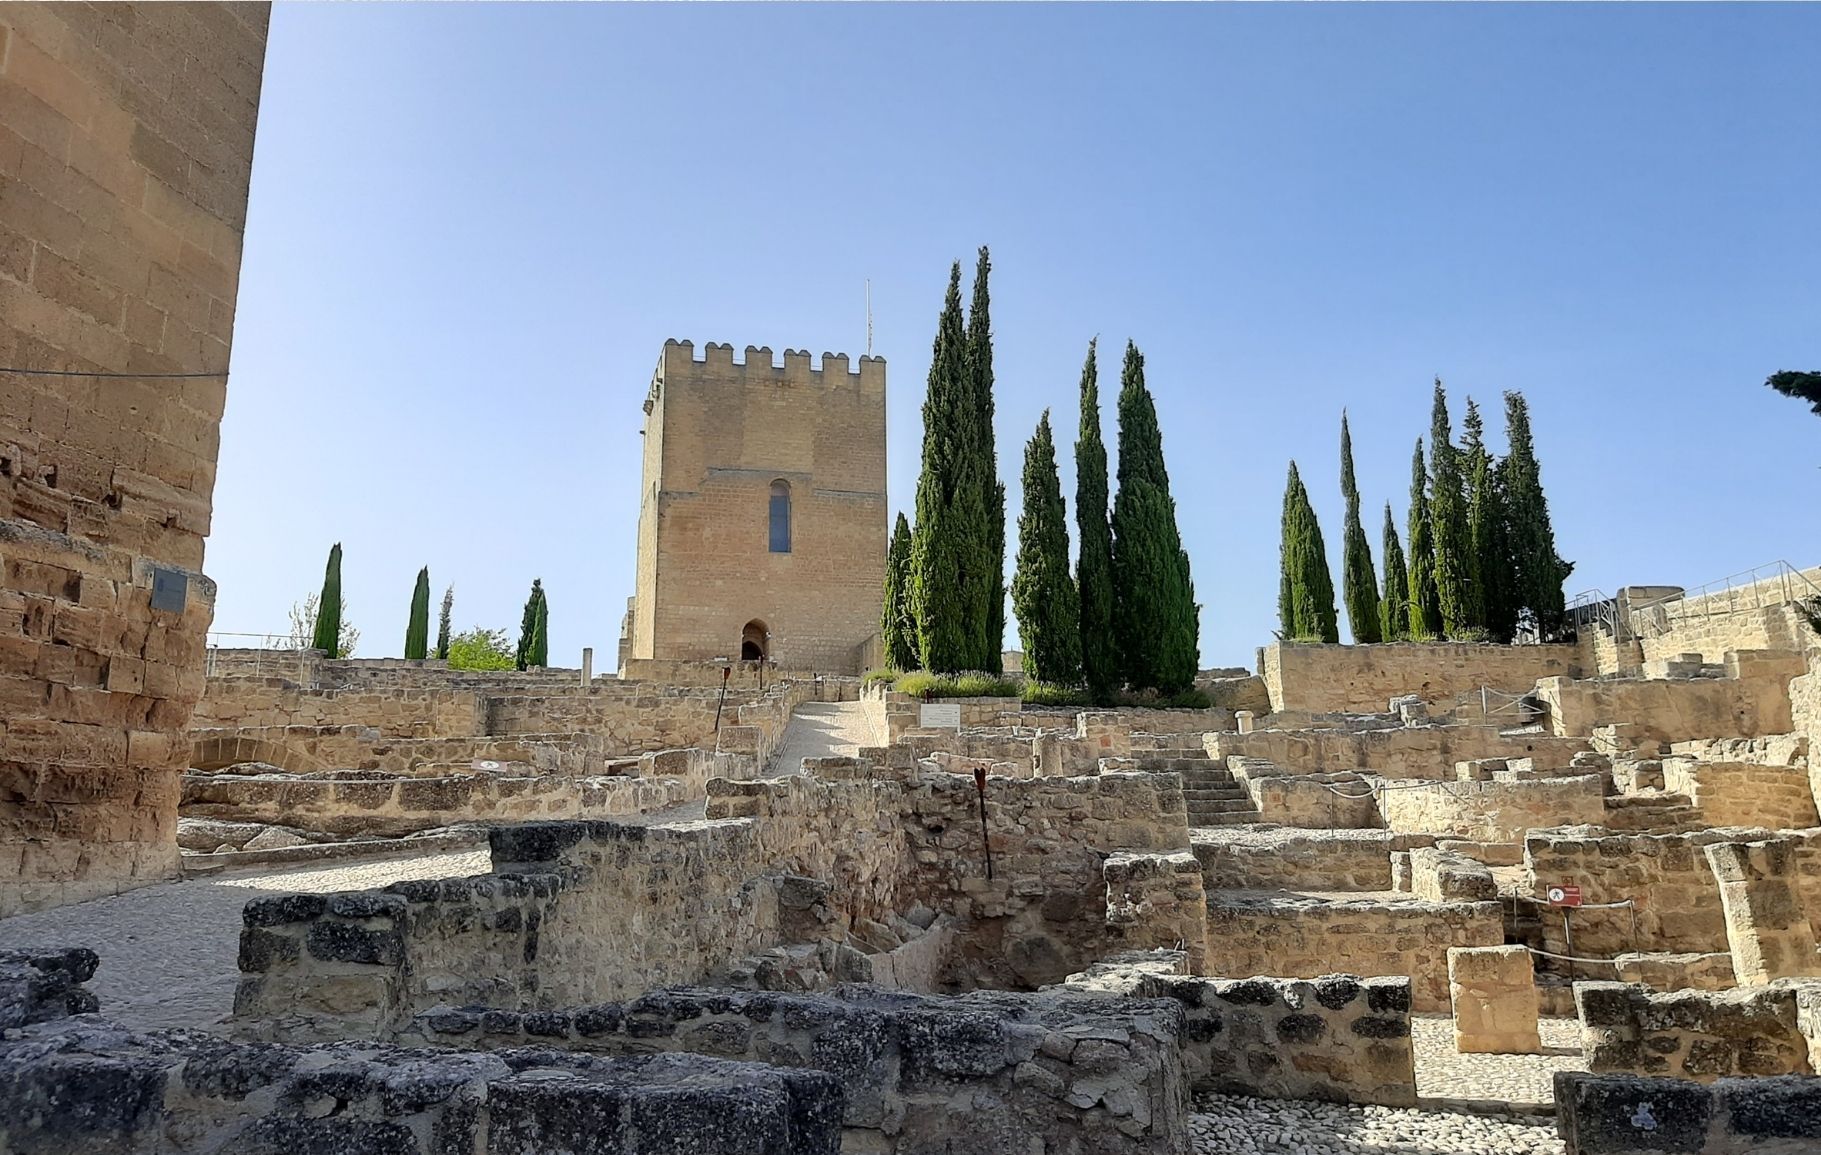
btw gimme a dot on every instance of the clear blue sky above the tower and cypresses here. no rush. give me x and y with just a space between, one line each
474 227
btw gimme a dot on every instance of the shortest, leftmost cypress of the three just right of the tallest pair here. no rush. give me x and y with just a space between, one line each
1050 622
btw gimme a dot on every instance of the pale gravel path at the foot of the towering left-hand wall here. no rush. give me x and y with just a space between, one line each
170 950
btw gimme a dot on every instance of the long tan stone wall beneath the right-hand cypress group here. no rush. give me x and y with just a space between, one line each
1363 679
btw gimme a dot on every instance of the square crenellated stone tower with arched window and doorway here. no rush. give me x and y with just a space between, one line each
762 511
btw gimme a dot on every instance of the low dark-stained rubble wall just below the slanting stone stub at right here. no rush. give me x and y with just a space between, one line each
1700 1036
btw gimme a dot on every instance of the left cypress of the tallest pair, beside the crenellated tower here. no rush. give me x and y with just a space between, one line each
942 547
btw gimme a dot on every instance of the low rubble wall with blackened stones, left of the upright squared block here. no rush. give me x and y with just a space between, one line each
1339 1039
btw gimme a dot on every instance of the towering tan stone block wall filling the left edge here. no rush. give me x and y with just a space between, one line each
123 201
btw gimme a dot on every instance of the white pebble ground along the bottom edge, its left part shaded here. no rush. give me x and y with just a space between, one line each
1230 1125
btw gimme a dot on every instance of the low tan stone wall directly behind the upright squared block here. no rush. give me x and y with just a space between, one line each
1314 937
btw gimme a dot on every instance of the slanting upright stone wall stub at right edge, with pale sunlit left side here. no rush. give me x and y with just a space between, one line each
1767 928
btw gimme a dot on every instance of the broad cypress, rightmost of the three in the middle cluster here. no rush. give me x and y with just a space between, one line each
1154 597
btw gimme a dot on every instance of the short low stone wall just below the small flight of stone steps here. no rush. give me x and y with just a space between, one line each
1290 859
